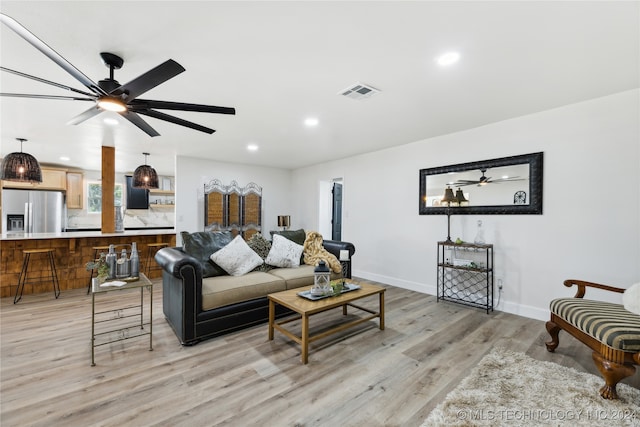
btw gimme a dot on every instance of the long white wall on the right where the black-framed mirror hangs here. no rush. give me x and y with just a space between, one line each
590 227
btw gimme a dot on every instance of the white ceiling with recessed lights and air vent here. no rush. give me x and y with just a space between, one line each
280 62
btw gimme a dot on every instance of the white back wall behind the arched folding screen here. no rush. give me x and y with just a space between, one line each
193 173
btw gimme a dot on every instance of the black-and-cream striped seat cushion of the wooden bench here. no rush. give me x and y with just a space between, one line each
607 322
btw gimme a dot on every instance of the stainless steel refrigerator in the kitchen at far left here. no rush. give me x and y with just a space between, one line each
30 211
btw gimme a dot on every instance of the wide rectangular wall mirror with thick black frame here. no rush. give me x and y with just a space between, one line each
508 185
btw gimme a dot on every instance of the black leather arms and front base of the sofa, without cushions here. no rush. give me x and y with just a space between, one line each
182 298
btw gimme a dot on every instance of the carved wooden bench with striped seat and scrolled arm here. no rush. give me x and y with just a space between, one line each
611 331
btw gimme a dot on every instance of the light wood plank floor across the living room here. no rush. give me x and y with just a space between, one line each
360 377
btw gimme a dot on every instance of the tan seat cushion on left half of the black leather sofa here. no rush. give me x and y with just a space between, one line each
225 290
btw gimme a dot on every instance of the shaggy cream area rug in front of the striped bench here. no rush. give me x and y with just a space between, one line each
511 389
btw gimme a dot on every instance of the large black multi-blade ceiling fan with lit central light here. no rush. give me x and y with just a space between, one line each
108 94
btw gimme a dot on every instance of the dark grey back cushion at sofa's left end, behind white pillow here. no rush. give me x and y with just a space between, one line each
202 244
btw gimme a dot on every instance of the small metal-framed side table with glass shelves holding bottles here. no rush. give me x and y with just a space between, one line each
115 322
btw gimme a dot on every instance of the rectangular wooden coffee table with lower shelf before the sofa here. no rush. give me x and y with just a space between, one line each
306 308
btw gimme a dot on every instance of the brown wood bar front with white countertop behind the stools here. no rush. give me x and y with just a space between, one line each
72 251
